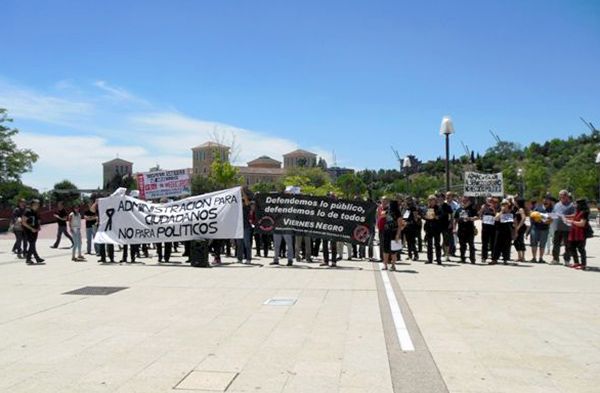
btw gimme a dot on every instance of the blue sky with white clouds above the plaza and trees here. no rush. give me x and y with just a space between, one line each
147 80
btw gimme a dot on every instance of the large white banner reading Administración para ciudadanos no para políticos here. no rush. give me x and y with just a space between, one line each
127 220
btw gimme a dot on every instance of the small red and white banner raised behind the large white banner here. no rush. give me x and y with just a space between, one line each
159 184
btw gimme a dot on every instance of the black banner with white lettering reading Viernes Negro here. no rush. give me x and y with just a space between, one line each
334 219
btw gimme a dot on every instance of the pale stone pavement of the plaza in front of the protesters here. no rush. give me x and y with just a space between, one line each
521 328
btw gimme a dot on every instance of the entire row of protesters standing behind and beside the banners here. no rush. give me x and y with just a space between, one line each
443 226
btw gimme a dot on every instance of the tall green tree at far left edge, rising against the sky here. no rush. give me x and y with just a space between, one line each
13 161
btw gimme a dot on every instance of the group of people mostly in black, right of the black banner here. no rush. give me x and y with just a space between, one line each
449 228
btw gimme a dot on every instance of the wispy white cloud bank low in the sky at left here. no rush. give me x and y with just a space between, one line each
103 127
